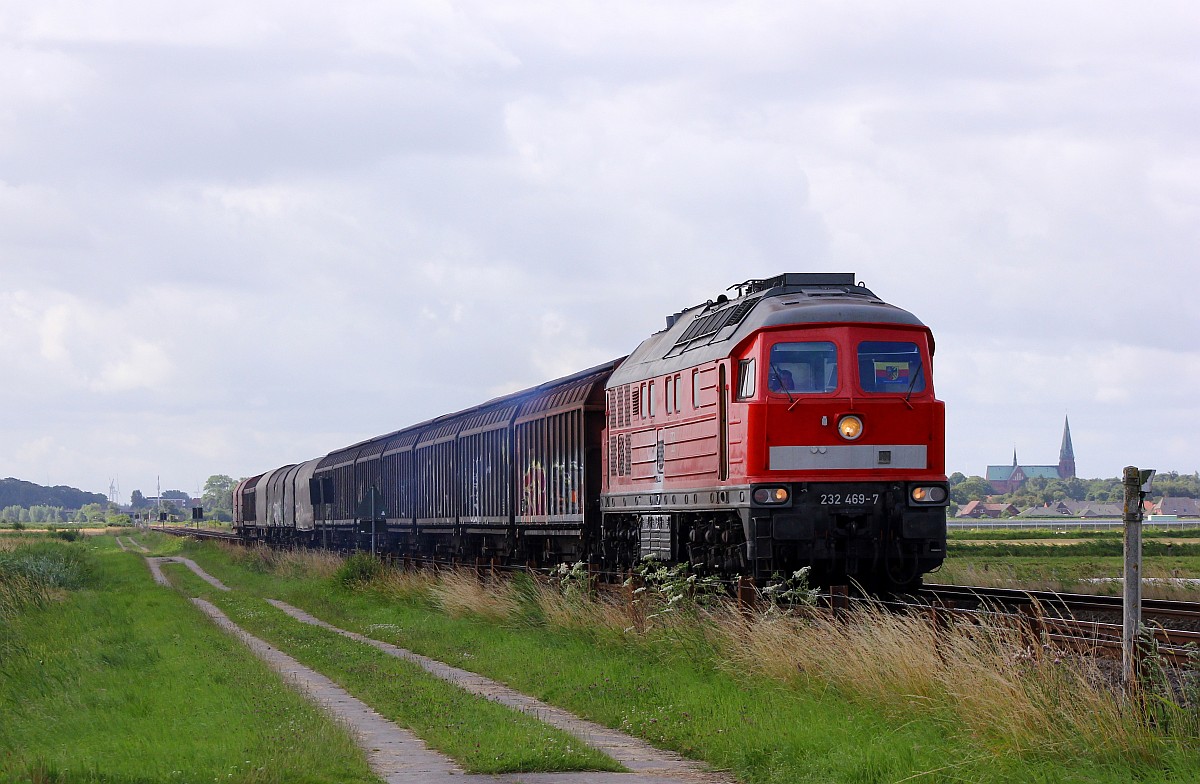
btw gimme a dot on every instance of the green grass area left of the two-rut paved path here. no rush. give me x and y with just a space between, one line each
117 680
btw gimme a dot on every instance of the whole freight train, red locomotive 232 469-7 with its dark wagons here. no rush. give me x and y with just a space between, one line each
791 426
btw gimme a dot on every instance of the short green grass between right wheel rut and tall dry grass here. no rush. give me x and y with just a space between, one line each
679 691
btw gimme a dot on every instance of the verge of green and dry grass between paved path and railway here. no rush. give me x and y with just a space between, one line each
755 703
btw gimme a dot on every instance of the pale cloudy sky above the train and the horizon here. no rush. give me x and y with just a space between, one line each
237 235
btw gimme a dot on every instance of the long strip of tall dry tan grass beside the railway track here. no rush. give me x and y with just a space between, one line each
989 680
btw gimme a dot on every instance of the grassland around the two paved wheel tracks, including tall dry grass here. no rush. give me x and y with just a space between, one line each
117 680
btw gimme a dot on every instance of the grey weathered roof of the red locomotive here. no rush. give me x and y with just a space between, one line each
709 332
